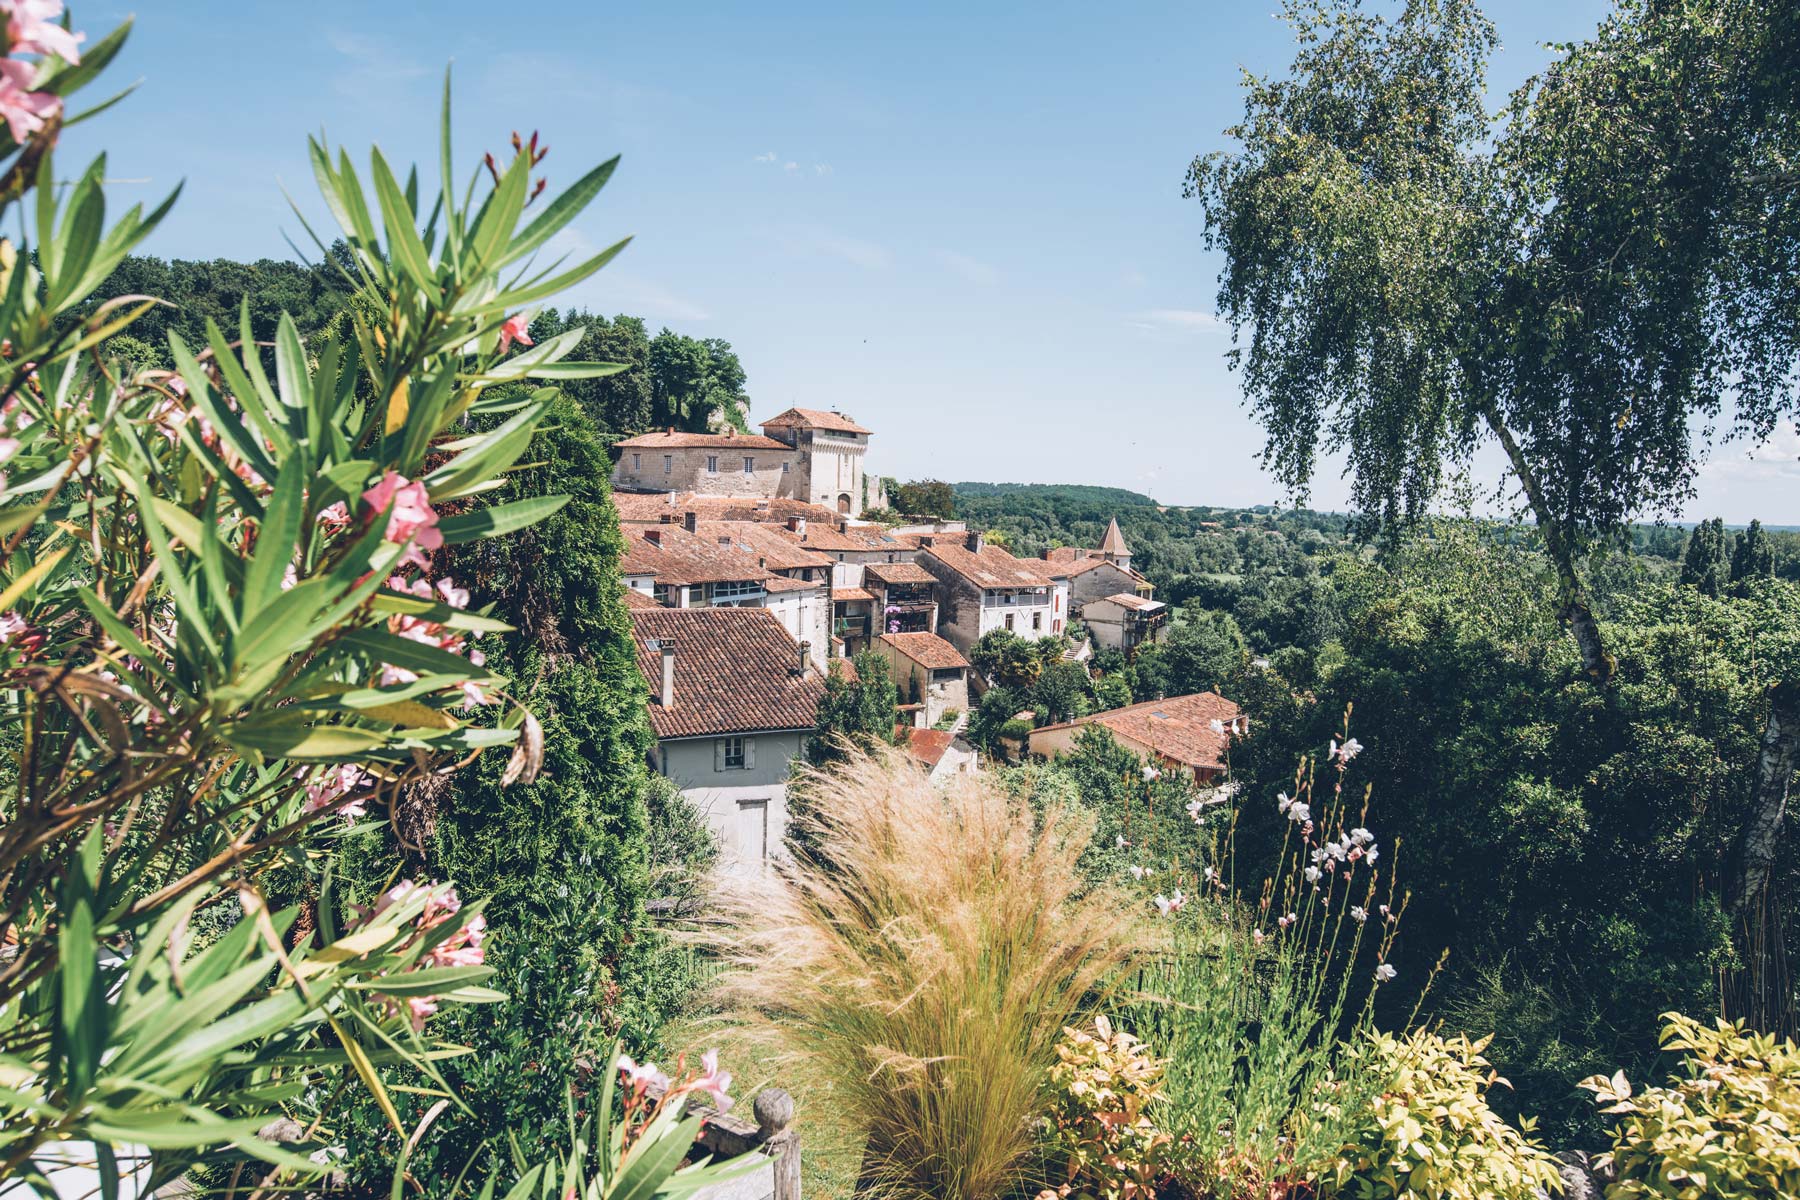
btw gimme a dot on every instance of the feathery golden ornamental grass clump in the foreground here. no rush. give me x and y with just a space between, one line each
924 958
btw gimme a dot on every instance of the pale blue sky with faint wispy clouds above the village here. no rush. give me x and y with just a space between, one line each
960 224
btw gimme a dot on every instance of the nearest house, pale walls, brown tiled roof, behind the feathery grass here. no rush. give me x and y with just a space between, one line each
733 703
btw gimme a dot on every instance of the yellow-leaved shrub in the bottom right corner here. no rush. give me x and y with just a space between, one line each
1729 1129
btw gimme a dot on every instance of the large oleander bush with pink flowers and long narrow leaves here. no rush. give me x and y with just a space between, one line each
226 632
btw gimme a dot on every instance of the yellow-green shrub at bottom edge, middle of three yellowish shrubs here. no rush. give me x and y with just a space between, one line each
1430 1133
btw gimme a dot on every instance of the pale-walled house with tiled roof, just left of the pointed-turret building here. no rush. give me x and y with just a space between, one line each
982 589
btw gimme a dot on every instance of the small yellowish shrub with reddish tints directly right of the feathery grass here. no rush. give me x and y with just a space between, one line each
1101 1129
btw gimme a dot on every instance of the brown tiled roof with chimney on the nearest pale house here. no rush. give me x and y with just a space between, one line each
737 672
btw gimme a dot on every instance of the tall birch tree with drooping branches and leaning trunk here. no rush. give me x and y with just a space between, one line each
1416 280
